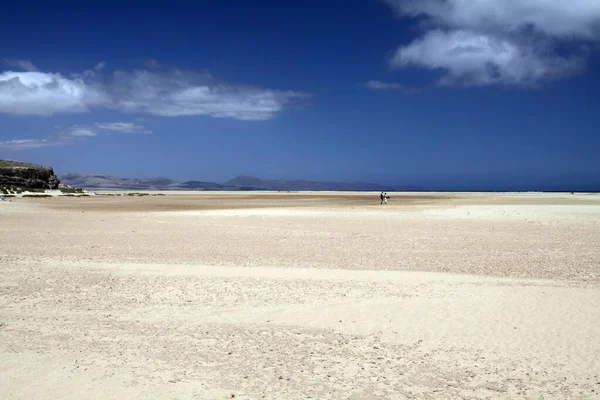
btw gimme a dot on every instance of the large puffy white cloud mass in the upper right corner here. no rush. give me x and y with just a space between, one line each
482 42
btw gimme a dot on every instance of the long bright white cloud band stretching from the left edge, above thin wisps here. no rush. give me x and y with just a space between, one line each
163 93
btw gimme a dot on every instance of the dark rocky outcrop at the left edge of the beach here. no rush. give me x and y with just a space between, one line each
23 175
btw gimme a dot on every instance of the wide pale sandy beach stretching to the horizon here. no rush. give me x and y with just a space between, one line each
295 296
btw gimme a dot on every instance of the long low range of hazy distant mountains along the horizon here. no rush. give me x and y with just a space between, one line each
106 182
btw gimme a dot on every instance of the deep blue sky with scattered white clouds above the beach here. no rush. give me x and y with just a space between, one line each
443 93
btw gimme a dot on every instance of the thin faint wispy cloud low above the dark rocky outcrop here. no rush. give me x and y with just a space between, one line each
74 133
